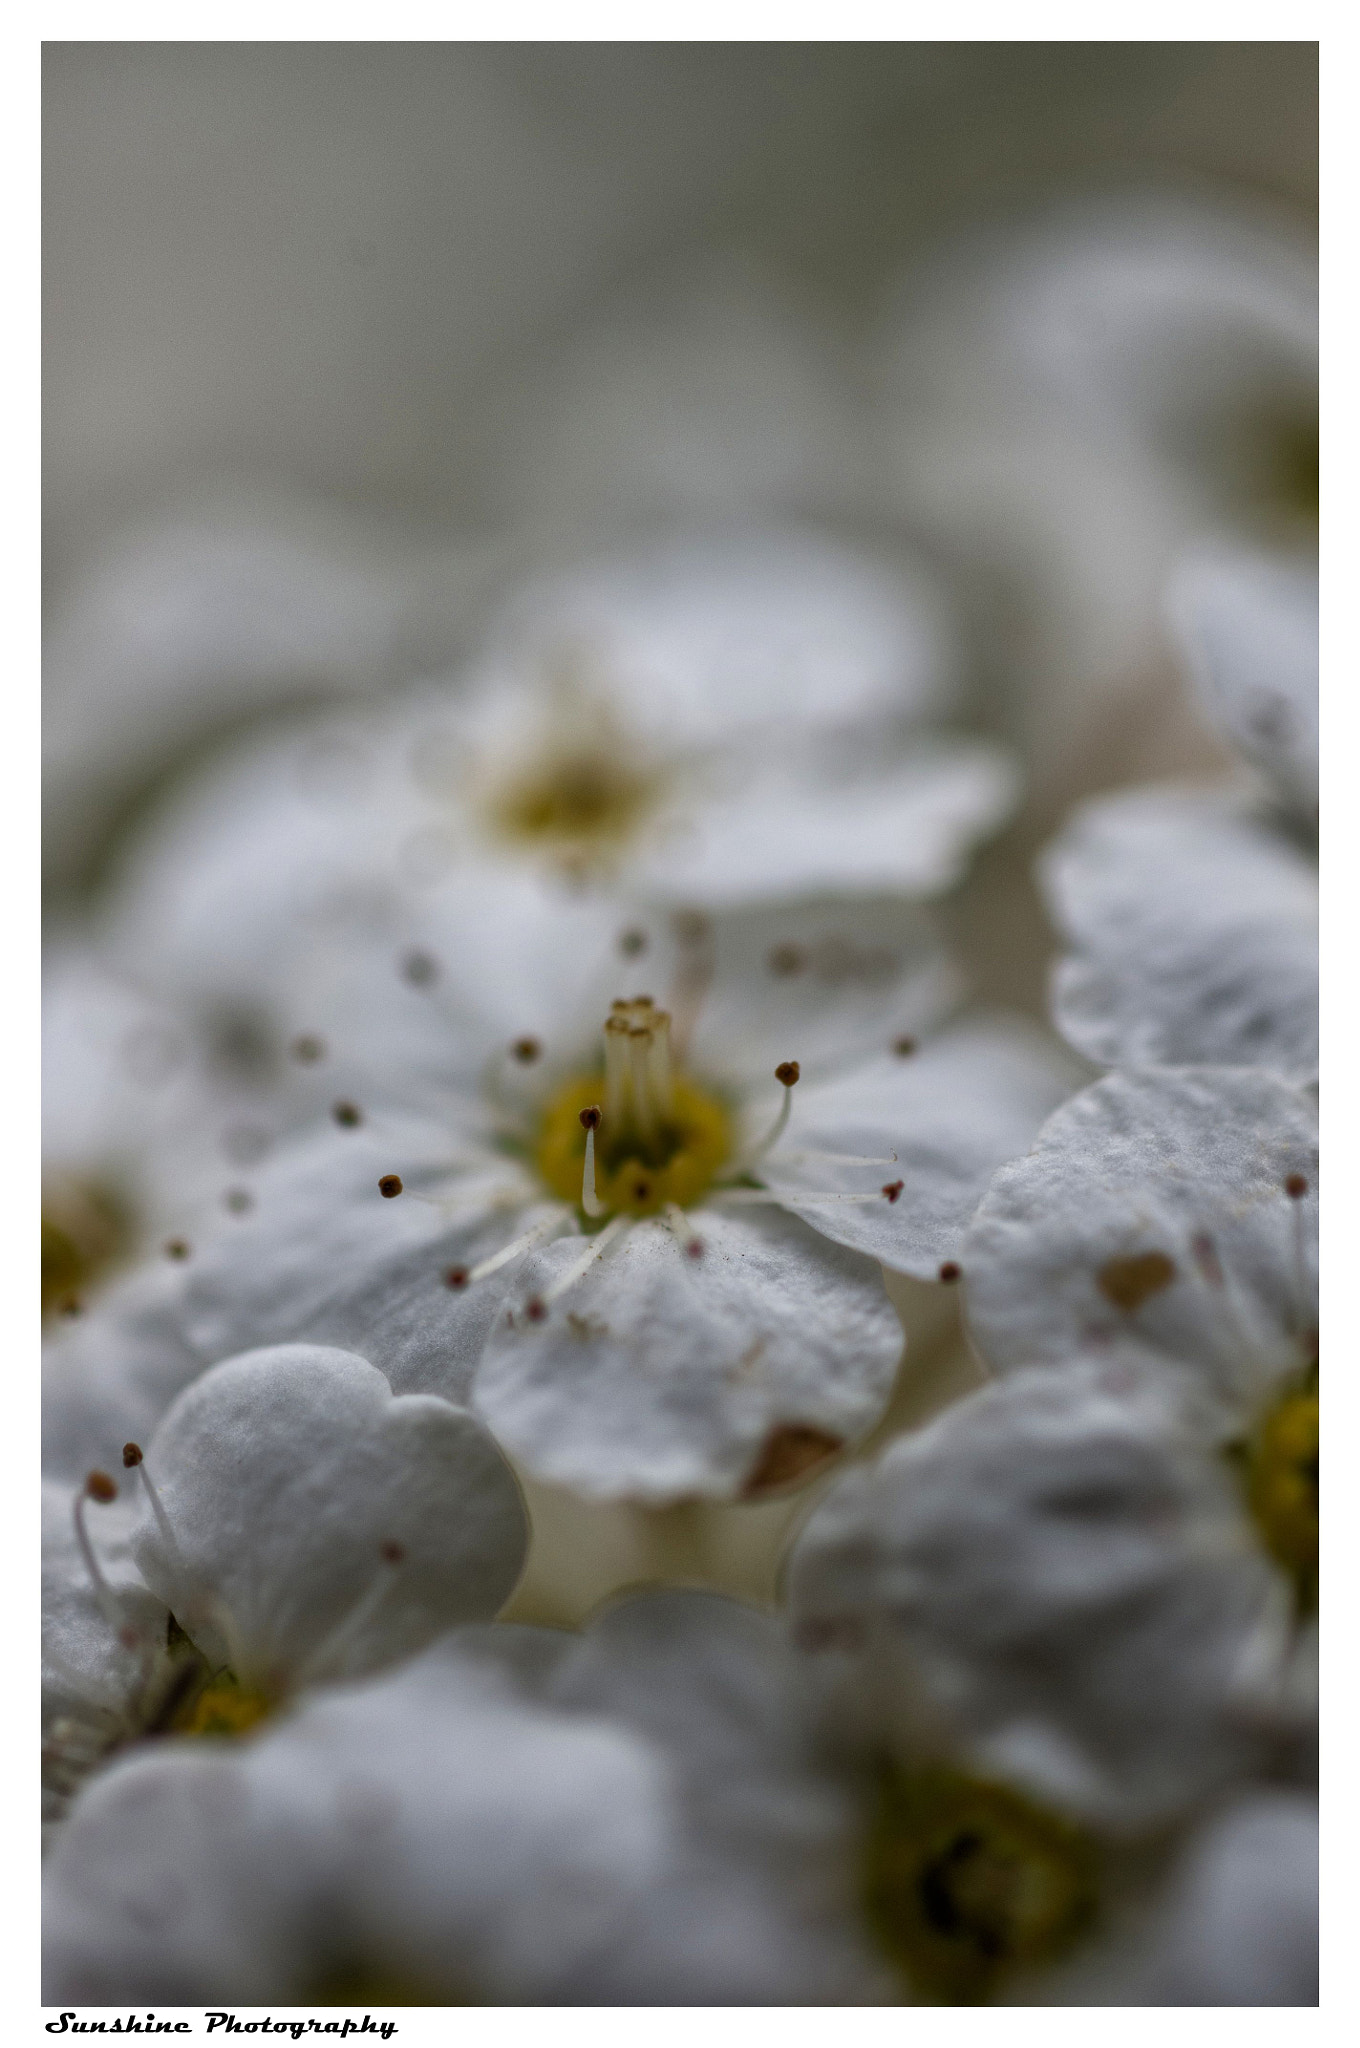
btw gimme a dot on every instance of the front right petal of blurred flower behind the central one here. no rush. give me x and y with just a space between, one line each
796 826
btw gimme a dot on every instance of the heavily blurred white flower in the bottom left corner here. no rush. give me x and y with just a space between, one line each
425 1838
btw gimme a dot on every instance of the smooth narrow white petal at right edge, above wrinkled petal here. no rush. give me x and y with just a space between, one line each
1248 628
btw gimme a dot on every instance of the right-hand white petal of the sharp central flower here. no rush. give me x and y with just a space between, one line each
951 1113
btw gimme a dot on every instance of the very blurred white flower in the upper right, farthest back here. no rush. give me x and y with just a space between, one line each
1072 404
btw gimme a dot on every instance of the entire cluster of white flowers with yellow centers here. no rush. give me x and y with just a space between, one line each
497 1541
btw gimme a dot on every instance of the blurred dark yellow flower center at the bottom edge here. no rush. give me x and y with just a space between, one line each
968 1883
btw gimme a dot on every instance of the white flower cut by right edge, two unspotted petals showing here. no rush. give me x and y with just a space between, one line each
1193 914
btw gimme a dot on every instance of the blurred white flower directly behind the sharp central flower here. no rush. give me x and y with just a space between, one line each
724 718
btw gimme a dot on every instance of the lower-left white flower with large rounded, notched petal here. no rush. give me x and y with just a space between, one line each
298 1523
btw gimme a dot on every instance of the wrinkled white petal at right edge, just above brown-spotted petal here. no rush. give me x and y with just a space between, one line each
1195 935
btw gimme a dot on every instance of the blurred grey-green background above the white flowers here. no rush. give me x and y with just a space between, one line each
339 339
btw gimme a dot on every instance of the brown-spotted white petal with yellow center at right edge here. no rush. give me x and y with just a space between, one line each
1168 1222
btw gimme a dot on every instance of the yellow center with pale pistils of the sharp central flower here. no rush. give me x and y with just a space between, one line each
658 1140
